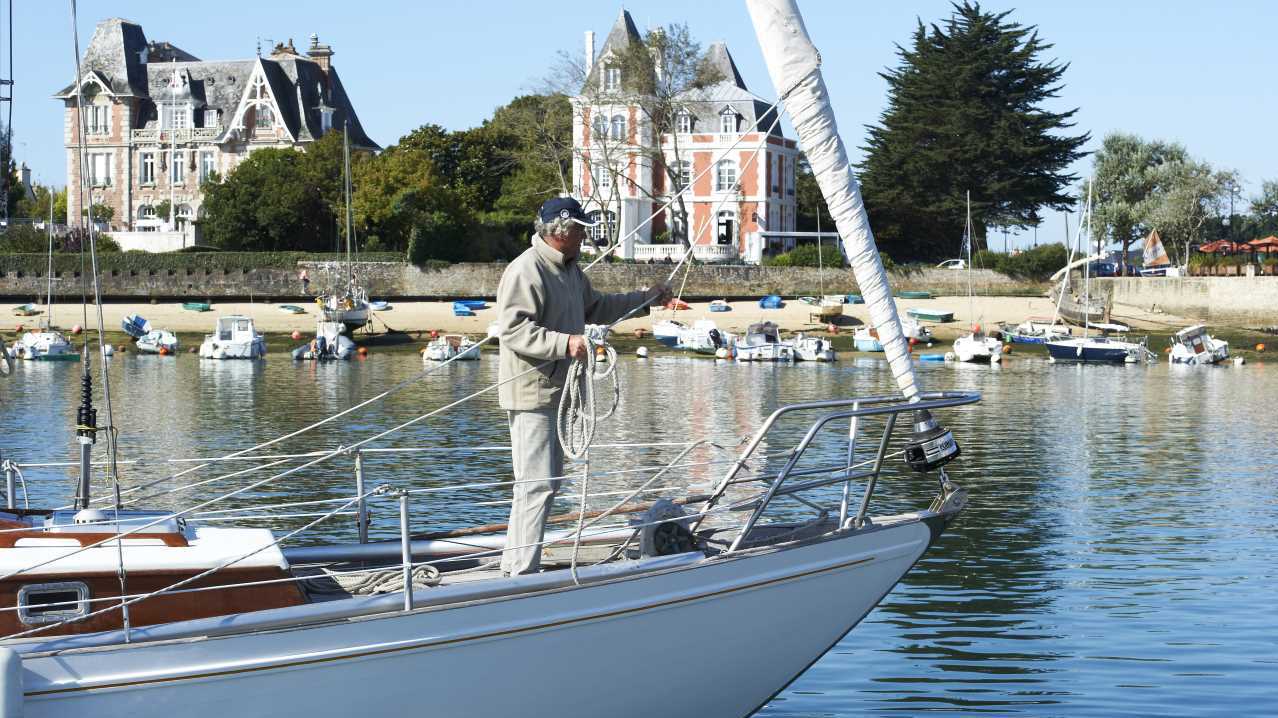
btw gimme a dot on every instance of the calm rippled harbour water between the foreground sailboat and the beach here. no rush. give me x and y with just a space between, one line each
1119 555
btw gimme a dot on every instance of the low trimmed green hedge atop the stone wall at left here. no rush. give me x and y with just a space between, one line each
181 261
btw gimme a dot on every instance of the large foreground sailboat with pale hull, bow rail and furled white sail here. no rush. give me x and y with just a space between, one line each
154 614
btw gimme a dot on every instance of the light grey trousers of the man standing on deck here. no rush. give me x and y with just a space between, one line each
536 454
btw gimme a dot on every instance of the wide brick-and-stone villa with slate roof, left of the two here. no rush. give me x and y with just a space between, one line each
159 121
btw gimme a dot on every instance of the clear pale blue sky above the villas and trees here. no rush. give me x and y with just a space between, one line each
1198 73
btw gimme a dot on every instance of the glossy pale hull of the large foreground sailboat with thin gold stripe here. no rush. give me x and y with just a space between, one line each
582 652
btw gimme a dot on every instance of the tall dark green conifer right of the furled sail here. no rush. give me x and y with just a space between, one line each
966 116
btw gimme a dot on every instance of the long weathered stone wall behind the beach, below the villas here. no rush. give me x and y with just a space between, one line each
394 280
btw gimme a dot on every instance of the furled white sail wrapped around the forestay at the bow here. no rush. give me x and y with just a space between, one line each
796 70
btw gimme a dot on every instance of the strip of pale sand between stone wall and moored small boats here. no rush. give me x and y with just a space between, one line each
438 316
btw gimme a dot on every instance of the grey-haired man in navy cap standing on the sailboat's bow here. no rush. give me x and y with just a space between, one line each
544 303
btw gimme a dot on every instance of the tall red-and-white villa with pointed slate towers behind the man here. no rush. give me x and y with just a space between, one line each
727 150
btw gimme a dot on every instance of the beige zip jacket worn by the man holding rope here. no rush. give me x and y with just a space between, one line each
543 301
